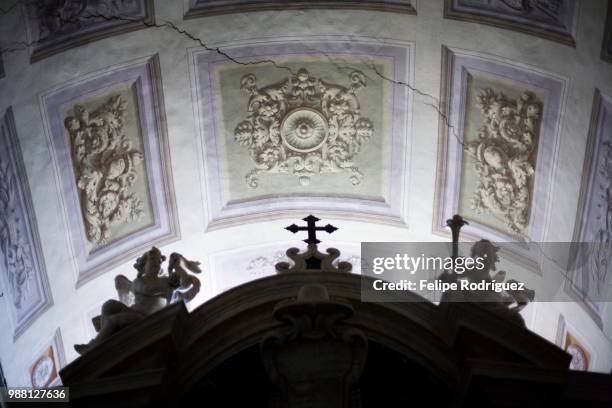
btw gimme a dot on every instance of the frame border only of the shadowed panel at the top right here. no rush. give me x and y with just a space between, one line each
567 38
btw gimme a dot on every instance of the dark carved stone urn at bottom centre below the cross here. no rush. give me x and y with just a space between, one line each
313 359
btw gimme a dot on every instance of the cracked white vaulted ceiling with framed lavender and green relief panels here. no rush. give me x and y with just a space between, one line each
205 127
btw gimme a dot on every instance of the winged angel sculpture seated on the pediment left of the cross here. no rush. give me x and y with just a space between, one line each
148 293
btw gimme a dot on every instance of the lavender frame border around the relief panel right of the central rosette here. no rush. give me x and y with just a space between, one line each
455 68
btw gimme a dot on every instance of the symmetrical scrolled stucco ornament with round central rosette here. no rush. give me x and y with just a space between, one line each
303 126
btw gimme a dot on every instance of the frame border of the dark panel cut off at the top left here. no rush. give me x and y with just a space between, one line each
57 46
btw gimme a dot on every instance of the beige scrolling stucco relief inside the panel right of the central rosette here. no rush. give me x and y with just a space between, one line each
505 157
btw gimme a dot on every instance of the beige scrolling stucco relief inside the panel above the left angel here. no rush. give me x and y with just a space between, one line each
104 163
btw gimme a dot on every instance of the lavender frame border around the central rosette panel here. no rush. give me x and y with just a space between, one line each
389 211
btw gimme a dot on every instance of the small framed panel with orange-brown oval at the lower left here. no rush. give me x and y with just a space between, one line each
44 371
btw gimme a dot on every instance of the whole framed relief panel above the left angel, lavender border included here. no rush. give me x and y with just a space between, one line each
109 144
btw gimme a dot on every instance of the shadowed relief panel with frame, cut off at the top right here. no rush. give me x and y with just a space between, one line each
551 19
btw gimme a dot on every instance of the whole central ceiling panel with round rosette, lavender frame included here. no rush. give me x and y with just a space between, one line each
320 127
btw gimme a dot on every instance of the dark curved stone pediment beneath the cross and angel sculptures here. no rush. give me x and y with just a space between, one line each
172 355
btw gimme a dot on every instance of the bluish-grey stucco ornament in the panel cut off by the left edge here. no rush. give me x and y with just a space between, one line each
16 251
